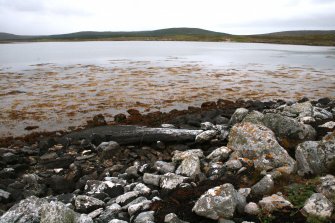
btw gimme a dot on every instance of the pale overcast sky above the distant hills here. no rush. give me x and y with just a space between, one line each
33 17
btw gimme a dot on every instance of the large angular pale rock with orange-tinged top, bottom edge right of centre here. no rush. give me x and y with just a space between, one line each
218 202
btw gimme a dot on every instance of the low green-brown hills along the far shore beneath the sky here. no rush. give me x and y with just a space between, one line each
320 38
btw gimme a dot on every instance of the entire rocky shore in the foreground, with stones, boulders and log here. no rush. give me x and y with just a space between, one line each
244 161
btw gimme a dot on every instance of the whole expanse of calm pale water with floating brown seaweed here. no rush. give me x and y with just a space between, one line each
55 85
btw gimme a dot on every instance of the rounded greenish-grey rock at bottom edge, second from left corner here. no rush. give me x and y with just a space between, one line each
56 212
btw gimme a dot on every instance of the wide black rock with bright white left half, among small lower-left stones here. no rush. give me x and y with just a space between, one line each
96 187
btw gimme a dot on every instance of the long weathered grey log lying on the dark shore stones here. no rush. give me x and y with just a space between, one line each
128 134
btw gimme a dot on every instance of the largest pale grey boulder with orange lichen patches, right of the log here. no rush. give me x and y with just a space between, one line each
258 144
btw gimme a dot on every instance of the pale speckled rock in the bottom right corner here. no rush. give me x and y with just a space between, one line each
318 205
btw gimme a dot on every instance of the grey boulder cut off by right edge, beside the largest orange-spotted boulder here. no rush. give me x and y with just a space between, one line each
314 158
